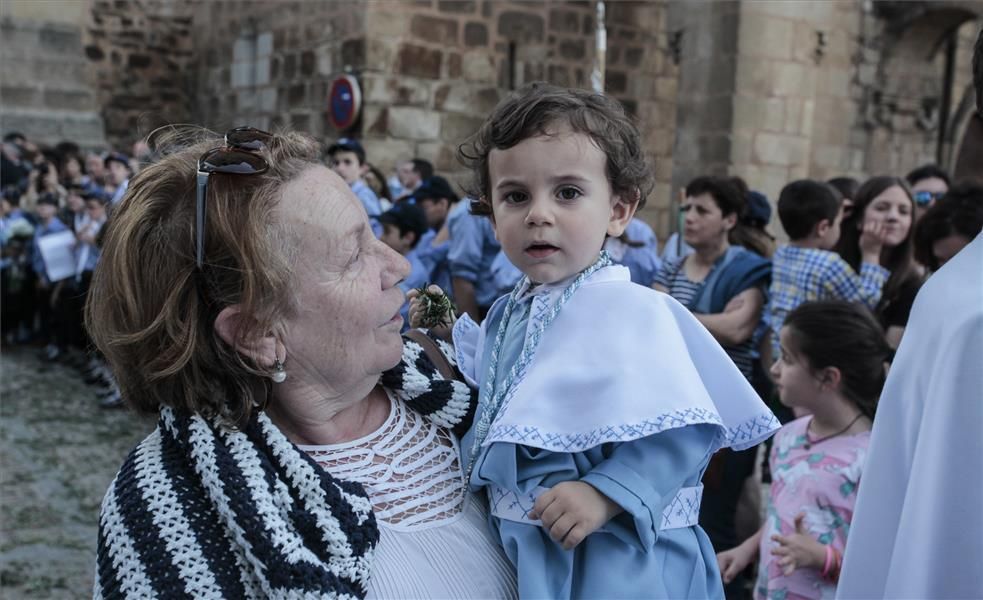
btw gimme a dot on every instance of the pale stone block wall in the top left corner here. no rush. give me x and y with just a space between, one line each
47 90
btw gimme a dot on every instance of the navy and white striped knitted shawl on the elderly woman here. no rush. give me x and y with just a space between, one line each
200 510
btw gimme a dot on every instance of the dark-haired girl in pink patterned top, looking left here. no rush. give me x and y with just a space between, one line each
831 365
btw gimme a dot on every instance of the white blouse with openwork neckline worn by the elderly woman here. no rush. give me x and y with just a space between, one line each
434 536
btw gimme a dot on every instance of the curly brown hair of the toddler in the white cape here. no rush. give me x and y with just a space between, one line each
537 107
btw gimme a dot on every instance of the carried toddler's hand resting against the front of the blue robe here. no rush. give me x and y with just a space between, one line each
572 510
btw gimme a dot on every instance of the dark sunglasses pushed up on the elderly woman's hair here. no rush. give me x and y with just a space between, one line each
238 157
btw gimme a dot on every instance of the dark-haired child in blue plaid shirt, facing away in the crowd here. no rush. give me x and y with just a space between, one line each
806 269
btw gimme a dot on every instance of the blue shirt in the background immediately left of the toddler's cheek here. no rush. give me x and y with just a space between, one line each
473 247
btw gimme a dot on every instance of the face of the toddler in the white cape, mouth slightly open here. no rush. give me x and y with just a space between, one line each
552 204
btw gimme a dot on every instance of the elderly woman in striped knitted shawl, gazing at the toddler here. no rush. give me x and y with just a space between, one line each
243 297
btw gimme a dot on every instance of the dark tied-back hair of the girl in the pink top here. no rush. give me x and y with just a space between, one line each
839 334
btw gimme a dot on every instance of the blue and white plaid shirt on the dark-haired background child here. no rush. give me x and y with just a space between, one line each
801 275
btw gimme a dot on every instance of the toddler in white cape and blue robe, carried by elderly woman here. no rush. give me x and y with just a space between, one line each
601 401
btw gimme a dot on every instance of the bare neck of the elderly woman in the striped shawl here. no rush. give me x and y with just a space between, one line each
316 419
